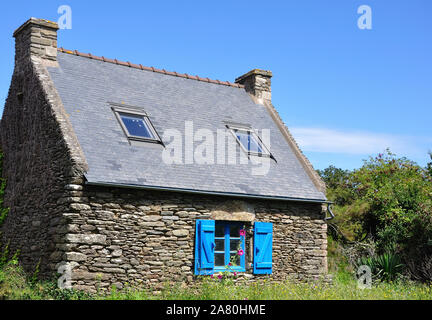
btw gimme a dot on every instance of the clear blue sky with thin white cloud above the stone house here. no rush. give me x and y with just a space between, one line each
345 93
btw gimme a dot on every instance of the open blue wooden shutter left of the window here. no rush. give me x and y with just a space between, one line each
204 246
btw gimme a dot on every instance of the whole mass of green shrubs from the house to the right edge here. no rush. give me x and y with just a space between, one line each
389 200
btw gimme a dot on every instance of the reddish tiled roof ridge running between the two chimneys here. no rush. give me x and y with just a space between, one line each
141 67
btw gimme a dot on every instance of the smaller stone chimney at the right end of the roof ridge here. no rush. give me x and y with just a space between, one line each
258 83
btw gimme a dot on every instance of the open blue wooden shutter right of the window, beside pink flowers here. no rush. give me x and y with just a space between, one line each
263 247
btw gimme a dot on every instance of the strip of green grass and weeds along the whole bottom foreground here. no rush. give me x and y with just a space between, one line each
15 285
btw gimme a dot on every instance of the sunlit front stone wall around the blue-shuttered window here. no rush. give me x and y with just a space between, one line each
118 236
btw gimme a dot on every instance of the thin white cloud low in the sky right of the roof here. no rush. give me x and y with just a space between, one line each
345 142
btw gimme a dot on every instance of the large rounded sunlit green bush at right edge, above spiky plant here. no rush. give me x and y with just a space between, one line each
398 194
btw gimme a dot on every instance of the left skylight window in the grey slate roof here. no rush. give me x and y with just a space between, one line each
136 124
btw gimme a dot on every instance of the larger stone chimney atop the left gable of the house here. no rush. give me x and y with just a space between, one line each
36 37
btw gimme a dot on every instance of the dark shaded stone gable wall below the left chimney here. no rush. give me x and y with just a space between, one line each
36 166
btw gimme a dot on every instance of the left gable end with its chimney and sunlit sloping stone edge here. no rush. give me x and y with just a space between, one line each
41 153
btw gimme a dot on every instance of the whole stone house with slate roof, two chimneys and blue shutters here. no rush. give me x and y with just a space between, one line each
91 185
